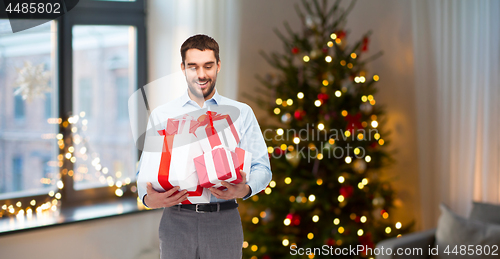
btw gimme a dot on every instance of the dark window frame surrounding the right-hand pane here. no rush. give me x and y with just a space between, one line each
89 12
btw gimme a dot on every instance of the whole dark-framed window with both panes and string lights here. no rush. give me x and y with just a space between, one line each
93 58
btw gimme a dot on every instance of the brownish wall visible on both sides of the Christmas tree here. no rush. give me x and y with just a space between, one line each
390 21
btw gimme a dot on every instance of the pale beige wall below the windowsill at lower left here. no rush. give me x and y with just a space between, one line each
125 237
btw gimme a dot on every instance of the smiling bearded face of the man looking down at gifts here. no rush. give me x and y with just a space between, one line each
201 70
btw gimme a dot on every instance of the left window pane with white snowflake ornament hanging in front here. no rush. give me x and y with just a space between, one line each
27 126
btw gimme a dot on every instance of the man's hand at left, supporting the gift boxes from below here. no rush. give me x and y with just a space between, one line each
154 199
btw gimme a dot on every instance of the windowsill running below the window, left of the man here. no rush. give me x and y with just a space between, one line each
69 215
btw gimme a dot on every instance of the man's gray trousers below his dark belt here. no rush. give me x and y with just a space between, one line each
186 234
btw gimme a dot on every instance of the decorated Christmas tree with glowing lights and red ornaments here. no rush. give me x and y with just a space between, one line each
326 145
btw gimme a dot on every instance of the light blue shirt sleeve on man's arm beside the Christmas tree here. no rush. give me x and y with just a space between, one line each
252 140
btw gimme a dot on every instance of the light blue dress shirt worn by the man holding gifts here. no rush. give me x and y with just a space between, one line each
251 138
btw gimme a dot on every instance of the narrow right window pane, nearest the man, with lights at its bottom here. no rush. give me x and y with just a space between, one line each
104 54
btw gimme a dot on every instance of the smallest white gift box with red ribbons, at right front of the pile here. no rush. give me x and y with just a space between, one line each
221 164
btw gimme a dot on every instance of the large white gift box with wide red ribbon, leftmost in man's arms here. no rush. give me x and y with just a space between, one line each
174 166
